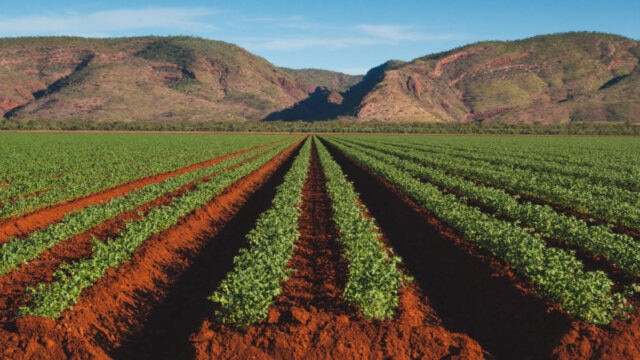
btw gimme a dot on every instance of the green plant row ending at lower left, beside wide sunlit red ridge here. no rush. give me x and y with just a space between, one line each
51 299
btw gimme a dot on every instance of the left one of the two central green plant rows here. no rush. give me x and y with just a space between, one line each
246 293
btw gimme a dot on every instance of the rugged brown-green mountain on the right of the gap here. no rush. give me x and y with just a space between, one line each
556 78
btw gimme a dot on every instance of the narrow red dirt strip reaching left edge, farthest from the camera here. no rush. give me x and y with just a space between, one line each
21 225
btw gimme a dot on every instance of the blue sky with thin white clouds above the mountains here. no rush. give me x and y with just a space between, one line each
347 36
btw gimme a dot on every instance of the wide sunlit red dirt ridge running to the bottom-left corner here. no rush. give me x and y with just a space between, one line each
119 304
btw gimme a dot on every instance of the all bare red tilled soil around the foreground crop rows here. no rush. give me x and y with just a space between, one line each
463 304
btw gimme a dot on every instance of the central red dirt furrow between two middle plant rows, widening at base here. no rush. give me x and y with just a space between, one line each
310 318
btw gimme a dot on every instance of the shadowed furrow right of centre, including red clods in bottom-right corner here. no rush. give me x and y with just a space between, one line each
478 295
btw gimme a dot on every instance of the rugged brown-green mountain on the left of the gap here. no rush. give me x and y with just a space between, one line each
148 78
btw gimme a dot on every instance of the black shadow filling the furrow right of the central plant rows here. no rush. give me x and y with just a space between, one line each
460 282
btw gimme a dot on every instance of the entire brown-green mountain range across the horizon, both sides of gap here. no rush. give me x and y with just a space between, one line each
559 78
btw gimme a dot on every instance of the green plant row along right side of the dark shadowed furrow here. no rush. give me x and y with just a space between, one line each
555 273
